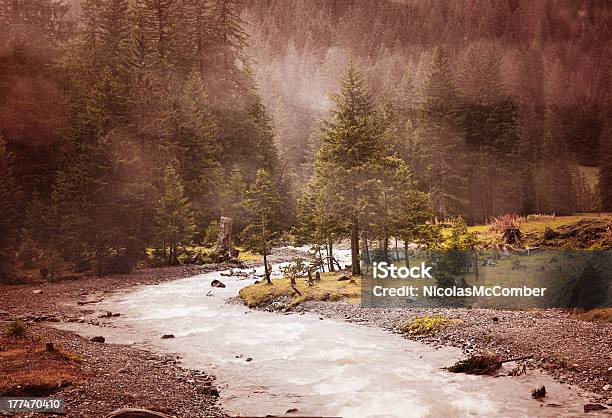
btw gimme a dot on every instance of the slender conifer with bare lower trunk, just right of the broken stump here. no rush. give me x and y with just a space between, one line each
262 203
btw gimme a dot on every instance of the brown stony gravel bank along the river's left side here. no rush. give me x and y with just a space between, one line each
115 376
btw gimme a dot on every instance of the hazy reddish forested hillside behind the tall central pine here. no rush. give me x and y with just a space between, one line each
524 90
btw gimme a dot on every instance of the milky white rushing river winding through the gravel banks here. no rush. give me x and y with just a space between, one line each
320 367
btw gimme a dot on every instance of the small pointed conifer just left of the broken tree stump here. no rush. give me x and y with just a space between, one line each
175 222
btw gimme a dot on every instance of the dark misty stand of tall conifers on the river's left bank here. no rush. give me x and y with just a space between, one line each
124 122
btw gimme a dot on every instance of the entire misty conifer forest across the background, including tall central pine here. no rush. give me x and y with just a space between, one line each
129 127
